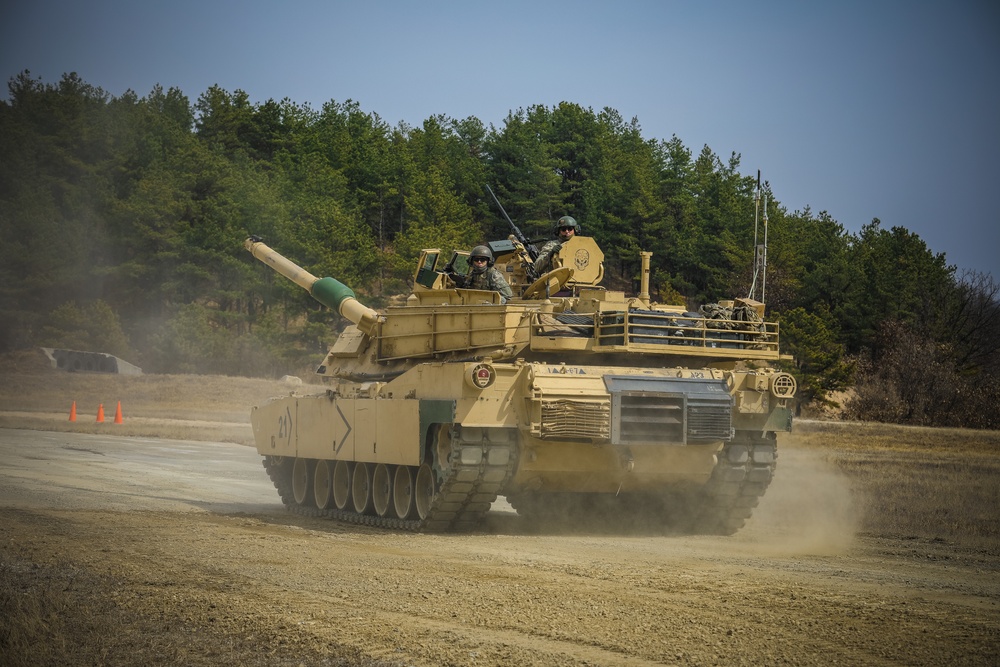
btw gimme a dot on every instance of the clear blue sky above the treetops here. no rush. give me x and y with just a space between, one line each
887 109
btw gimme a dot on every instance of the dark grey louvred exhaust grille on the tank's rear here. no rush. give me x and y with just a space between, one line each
658 410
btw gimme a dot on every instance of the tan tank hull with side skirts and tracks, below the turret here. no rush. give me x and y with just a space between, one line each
433 448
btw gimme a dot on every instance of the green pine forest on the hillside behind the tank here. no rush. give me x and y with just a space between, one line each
122 223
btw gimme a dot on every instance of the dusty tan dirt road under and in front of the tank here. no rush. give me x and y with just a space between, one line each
144 551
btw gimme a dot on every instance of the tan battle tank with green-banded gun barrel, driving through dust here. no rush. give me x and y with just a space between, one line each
572 401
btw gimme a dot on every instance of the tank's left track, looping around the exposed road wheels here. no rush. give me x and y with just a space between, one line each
465 490
